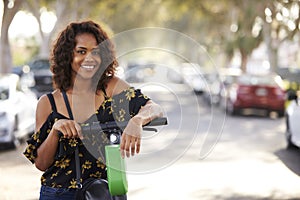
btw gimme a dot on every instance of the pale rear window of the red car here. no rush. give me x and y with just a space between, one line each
260 80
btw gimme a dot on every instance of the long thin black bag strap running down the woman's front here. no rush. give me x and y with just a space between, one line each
77 161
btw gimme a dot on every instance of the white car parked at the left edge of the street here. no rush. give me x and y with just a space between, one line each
17 110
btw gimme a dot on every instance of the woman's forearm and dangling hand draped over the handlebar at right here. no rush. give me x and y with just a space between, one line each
131 137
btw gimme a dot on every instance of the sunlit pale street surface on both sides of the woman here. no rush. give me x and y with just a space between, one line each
200 154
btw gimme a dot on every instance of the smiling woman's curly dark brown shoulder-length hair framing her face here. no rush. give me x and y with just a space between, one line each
62 55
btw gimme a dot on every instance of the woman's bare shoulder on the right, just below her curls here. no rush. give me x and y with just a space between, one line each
116 85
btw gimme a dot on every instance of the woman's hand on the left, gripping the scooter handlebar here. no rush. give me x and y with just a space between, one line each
69 128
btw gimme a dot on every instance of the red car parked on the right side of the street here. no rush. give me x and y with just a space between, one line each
255 93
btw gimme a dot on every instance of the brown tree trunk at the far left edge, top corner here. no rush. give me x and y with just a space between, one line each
10 8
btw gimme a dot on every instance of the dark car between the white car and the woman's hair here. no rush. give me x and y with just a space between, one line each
40 69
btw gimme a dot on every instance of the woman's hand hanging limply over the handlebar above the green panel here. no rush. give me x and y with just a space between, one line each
131 138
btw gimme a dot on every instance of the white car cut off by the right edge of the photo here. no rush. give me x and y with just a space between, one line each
292 121
